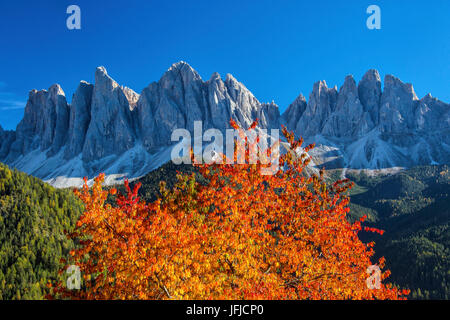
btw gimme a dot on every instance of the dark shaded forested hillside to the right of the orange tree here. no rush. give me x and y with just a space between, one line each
413 207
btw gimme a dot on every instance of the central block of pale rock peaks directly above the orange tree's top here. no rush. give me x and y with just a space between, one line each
182 97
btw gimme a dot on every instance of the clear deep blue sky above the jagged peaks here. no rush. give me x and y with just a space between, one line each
278 49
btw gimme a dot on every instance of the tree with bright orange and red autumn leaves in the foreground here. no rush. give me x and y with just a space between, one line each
239 235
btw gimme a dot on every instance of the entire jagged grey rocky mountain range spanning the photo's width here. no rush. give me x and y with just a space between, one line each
112 129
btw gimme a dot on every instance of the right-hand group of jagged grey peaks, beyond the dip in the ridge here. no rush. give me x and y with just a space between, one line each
367 128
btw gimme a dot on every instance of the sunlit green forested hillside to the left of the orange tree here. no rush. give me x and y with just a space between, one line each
33 217
